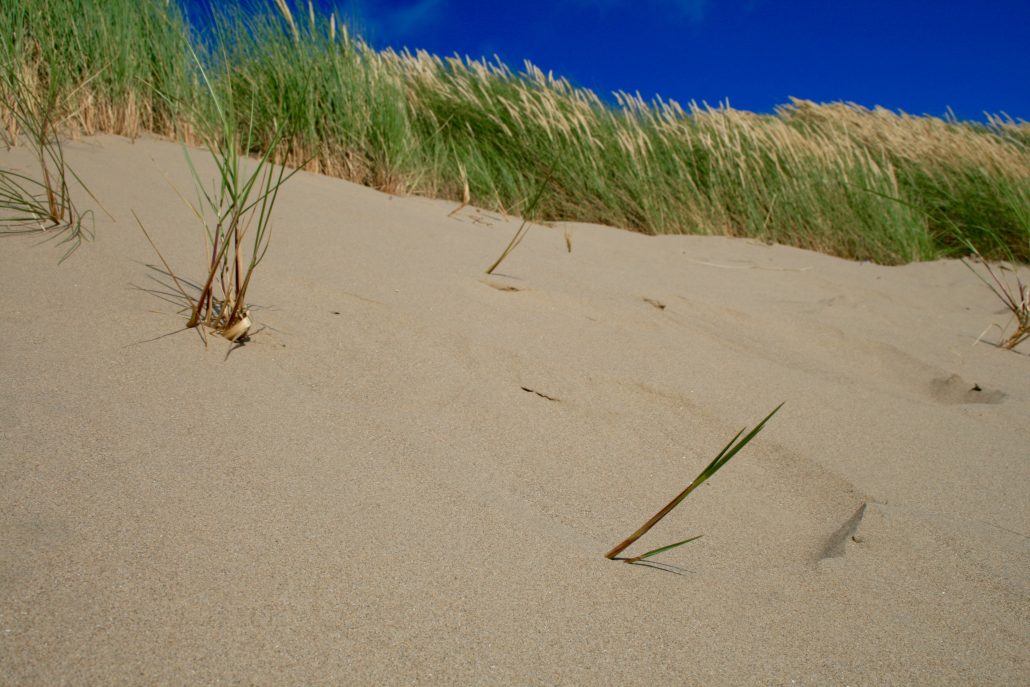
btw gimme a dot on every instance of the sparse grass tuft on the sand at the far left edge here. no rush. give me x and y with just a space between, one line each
44 204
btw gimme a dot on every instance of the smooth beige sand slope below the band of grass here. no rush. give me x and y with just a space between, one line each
366 494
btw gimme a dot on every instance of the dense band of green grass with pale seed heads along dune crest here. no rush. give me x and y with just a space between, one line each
839 179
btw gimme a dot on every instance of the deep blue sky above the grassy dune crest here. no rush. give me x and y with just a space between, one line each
922 57
